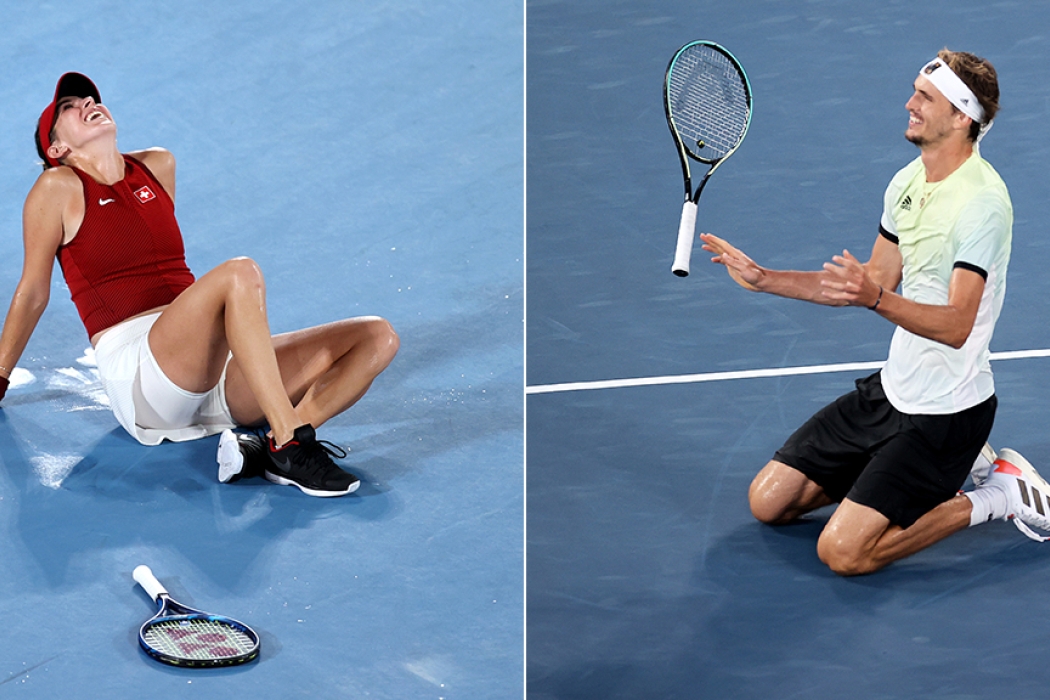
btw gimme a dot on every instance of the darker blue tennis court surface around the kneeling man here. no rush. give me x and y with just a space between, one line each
647 576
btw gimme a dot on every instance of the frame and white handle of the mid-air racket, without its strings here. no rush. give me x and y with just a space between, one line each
687 225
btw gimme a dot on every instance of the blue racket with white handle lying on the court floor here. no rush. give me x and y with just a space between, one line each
183 637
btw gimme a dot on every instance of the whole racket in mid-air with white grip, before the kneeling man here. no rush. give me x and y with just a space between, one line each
707 99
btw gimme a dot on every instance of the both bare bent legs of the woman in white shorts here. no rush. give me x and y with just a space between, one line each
288 380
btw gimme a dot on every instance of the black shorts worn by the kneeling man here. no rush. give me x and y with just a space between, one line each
904 466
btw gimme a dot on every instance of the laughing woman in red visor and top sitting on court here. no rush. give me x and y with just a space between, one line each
180 358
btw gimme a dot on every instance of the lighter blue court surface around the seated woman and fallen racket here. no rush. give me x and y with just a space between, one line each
370 158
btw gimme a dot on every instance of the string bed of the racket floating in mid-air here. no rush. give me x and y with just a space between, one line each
708 99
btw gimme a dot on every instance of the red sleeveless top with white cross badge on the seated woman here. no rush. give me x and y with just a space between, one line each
128 257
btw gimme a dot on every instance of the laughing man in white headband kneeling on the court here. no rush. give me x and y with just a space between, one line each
896 452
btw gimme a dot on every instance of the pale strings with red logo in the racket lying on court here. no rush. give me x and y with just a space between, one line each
198 640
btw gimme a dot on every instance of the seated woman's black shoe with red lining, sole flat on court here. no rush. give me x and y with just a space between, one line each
307 463
